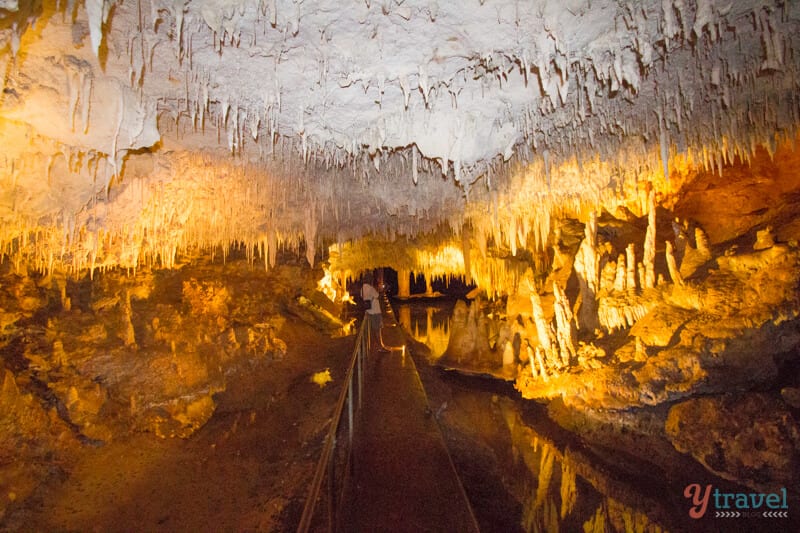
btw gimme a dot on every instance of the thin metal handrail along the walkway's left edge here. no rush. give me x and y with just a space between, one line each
326 462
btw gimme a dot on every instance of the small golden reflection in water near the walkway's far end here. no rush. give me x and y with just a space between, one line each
428 324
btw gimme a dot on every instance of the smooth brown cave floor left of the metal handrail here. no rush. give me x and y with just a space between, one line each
247 469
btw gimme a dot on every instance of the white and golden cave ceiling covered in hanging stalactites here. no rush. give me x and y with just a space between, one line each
326 119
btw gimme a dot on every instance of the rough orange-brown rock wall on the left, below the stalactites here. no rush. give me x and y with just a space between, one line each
131 356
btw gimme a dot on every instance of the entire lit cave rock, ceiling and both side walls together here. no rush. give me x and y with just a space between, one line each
521 146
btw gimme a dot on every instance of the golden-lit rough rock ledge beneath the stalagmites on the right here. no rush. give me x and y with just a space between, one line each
721 332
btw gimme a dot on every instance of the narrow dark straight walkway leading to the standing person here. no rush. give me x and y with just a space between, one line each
402 477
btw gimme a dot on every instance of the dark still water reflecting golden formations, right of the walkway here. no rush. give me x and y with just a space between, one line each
559 483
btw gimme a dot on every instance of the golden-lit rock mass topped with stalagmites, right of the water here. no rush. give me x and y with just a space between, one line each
726 321
